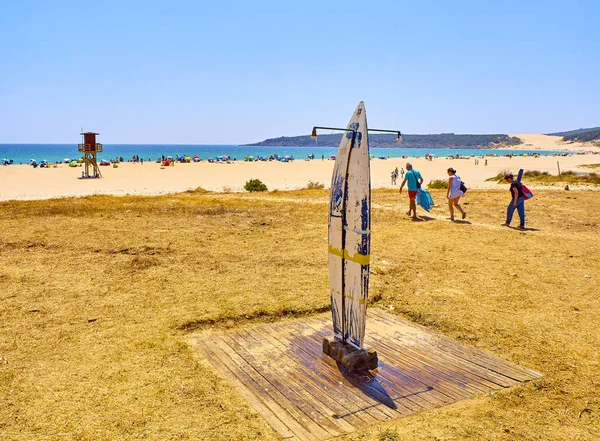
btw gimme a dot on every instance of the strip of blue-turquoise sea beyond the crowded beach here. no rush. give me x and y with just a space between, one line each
23 153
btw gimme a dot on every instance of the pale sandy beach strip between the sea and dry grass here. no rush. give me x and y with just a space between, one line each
23 182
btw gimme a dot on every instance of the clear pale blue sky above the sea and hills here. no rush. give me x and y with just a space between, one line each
240 71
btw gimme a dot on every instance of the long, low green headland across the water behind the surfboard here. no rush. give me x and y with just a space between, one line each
443 140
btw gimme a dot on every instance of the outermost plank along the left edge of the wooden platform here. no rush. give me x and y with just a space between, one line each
238 379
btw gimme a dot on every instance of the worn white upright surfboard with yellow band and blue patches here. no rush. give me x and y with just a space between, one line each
350 232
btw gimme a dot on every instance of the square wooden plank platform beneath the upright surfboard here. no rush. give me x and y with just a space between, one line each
281 370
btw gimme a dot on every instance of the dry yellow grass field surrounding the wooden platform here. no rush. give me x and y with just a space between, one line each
97 296
